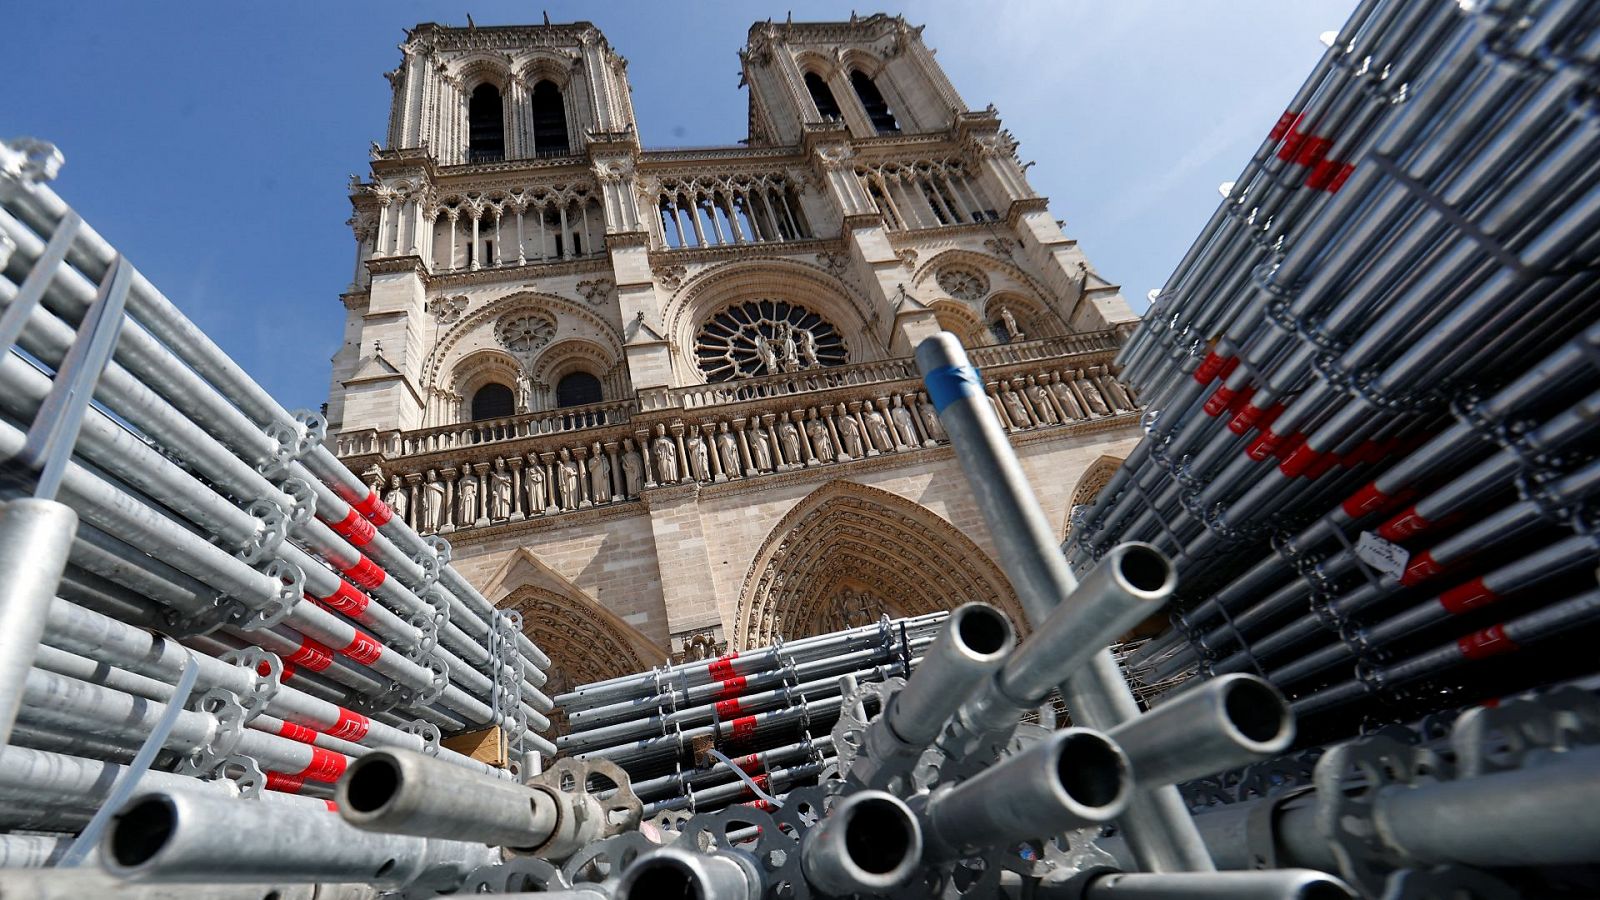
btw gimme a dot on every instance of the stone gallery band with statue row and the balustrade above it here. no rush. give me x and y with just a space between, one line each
486 480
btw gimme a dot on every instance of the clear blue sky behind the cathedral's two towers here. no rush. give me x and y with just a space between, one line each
212 142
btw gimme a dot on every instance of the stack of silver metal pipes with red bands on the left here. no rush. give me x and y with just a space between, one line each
198 597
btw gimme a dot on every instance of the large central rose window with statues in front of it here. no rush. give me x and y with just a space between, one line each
766 337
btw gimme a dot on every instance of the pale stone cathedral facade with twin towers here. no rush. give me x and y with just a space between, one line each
665 401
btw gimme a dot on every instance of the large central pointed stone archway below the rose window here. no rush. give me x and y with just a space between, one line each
849 553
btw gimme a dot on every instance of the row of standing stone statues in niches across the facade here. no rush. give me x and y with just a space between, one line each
578 478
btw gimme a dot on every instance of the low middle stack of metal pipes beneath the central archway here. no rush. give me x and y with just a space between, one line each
766 713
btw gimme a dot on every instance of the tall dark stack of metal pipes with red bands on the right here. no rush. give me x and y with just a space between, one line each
1372 379
